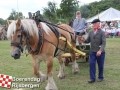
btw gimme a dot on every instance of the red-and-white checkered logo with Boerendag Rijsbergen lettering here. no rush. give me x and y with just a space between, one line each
8 82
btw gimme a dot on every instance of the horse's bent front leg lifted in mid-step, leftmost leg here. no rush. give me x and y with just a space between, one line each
37 72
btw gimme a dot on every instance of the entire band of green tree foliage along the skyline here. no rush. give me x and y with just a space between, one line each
67 9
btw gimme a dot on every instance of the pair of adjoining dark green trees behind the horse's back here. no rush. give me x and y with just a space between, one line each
64 13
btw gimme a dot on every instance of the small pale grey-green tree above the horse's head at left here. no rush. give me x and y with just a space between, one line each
15 15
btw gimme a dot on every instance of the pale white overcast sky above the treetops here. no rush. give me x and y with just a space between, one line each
26 6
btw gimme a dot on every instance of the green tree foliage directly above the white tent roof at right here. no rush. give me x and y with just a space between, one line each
97 7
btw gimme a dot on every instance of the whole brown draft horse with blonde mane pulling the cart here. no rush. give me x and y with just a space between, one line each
25 33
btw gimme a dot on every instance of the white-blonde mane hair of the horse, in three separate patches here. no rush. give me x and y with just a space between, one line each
29 26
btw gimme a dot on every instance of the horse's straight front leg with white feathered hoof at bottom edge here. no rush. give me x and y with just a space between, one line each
51 84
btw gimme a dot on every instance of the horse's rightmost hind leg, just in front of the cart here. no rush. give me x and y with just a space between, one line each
75 68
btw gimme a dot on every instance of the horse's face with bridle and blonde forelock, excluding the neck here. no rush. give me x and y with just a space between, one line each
16 35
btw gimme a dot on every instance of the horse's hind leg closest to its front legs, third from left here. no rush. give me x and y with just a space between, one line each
61 74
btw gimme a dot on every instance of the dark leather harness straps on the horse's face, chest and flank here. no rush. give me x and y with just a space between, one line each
40 42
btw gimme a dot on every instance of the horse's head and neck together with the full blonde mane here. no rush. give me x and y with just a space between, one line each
22 33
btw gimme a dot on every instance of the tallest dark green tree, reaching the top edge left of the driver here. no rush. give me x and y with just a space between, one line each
68 9
